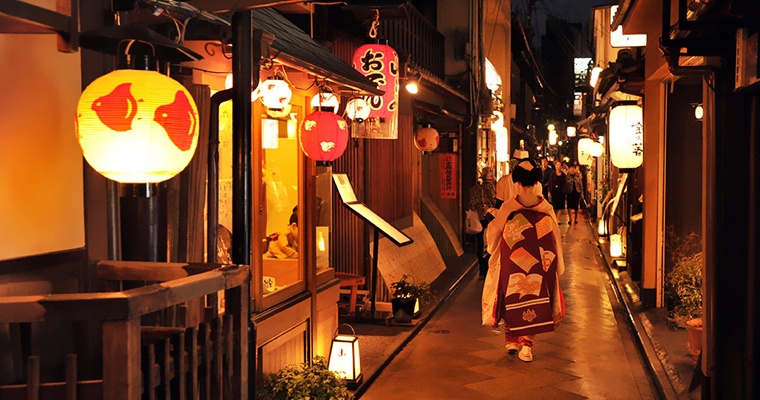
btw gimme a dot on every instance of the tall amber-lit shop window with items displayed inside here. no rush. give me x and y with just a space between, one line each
282 257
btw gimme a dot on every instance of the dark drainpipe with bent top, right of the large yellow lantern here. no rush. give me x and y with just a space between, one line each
213 174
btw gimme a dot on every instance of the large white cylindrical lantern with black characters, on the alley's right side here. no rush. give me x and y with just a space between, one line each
626 136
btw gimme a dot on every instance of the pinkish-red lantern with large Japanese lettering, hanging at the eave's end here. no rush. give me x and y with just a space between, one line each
379 63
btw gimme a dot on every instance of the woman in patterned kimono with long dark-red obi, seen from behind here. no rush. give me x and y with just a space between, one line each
523 290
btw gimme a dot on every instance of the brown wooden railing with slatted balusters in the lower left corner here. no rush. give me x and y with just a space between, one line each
188 355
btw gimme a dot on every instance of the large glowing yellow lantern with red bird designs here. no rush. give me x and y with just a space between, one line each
137 126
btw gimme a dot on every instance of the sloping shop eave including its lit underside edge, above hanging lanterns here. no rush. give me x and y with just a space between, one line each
293 47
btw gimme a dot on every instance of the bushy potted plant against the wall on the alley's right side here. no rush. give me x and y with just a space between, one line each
683 285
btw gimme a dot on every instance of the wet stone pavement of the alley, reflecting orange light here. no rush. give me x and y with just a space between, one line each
591 355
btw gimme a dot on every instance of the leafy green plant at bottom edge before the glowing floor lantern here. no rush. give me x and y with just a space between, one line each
306 381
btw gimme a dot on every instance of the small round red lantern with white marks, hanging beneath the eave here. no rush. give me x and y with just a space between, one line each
324 136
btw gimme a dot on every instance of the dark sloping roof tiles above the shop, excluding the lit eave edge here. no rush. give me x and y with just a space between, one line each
291 40
